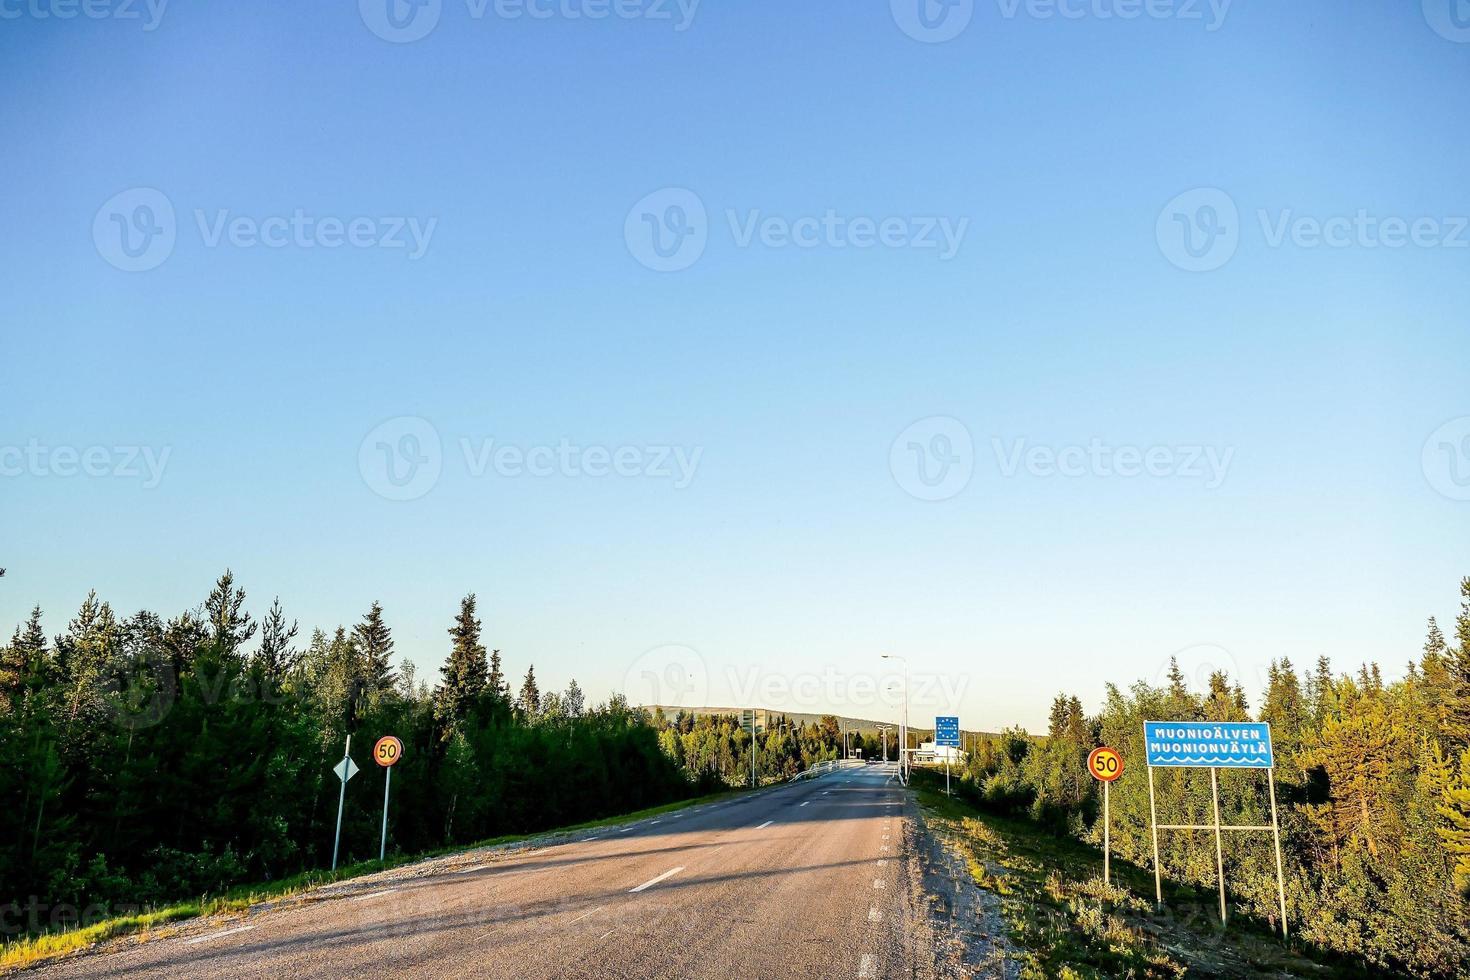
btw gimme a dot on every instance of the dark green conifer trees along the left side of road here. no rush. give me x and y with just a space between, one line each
145 760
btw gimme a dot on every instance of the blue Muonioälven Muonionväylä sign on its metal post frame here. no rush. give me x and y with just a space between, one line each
1213 746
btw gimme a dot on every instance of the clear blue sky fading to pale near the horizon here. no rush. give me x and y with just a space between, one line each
530 320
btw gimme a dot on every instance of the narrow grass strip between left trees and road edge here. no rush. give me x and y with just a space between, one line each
33 951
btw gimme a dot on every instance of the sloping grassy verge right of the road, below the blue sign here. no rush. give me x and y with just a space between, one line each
1064 922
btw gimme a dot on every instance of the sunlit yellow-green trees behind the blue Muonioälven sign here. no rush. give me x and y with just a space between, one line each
1374 790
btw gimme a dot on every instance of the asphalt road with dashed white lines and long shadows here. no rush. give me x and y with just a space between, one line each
815 879
